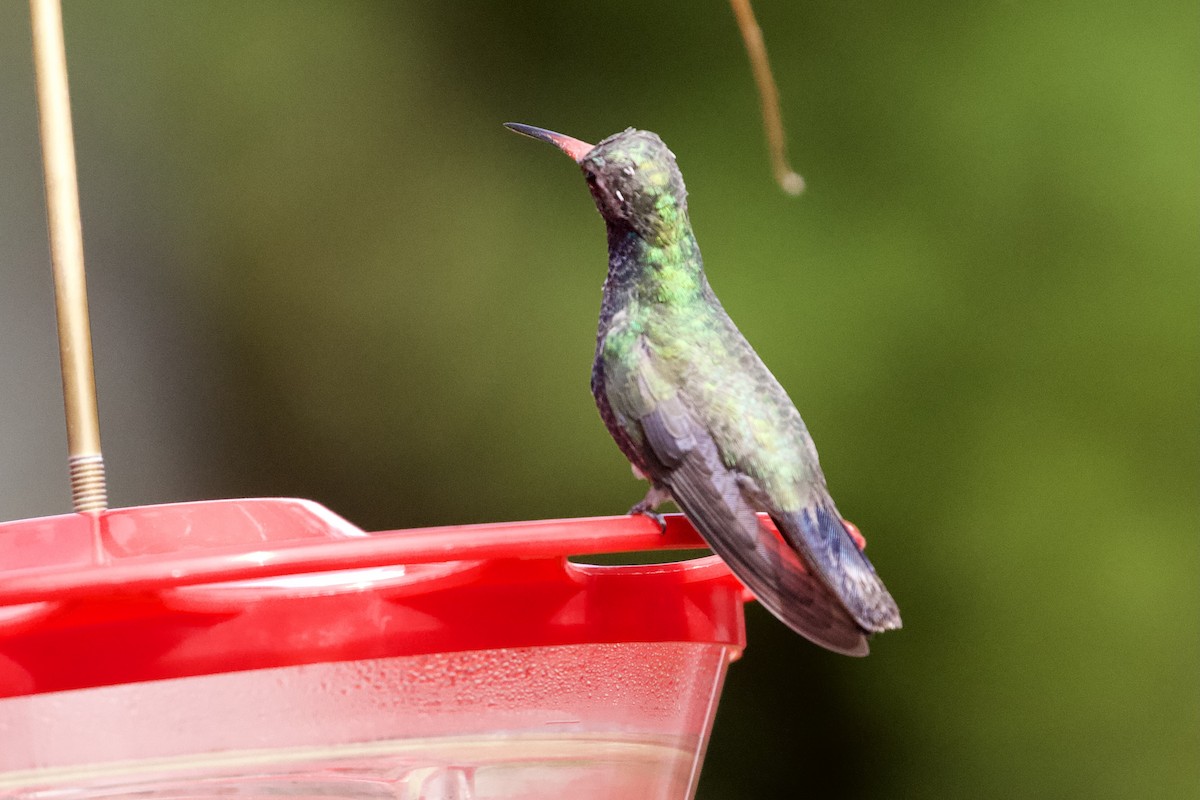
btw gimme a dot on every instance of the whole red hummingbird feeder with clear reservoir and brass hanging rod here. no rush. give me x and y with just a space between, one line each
269 648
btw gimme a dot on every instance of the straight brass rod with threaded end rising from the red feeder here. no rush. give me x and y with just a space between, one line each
86 462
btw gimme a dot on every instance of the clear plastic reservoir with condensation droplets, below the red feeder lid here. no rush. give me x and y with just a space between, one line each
583 723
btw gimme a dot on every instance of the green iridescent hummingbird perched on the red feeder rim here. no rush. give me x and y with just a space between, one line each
698 414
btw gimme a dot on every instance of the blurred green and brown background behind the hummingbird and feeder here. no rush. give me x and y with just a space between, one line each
321 268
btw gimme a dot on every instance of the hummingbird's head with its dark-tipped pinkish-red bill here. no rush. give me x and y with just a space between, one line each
633 178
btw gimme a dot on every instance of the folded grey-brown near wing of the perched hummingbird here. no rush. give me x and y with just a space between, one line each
683 459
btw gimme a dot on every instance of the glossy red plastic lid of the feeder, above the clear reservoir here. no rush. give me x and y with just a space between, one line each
202 588
